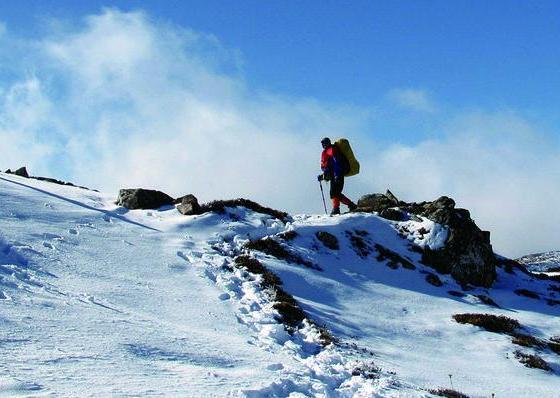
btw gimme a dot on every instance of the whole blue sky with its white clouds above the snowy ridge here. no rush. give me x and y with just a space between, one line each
457 98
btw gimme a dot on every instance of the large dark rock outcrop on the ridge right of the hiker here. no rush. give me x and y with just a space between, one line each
467 254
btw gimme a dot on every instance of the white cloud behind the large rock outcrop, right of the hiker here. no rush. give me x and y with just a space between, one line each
496 165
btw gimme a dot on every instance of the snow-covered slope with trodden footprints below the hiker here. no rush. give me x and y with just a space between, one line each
97 301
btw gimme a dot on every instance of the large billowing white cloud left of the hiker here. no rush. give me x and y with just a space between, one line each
134 102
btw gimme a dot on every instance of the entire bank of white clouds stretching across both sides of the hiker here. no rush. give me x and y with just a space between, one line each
125 101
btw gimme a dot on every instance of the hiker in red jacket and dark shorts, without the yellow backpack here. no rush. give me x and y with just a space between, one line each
334 164
